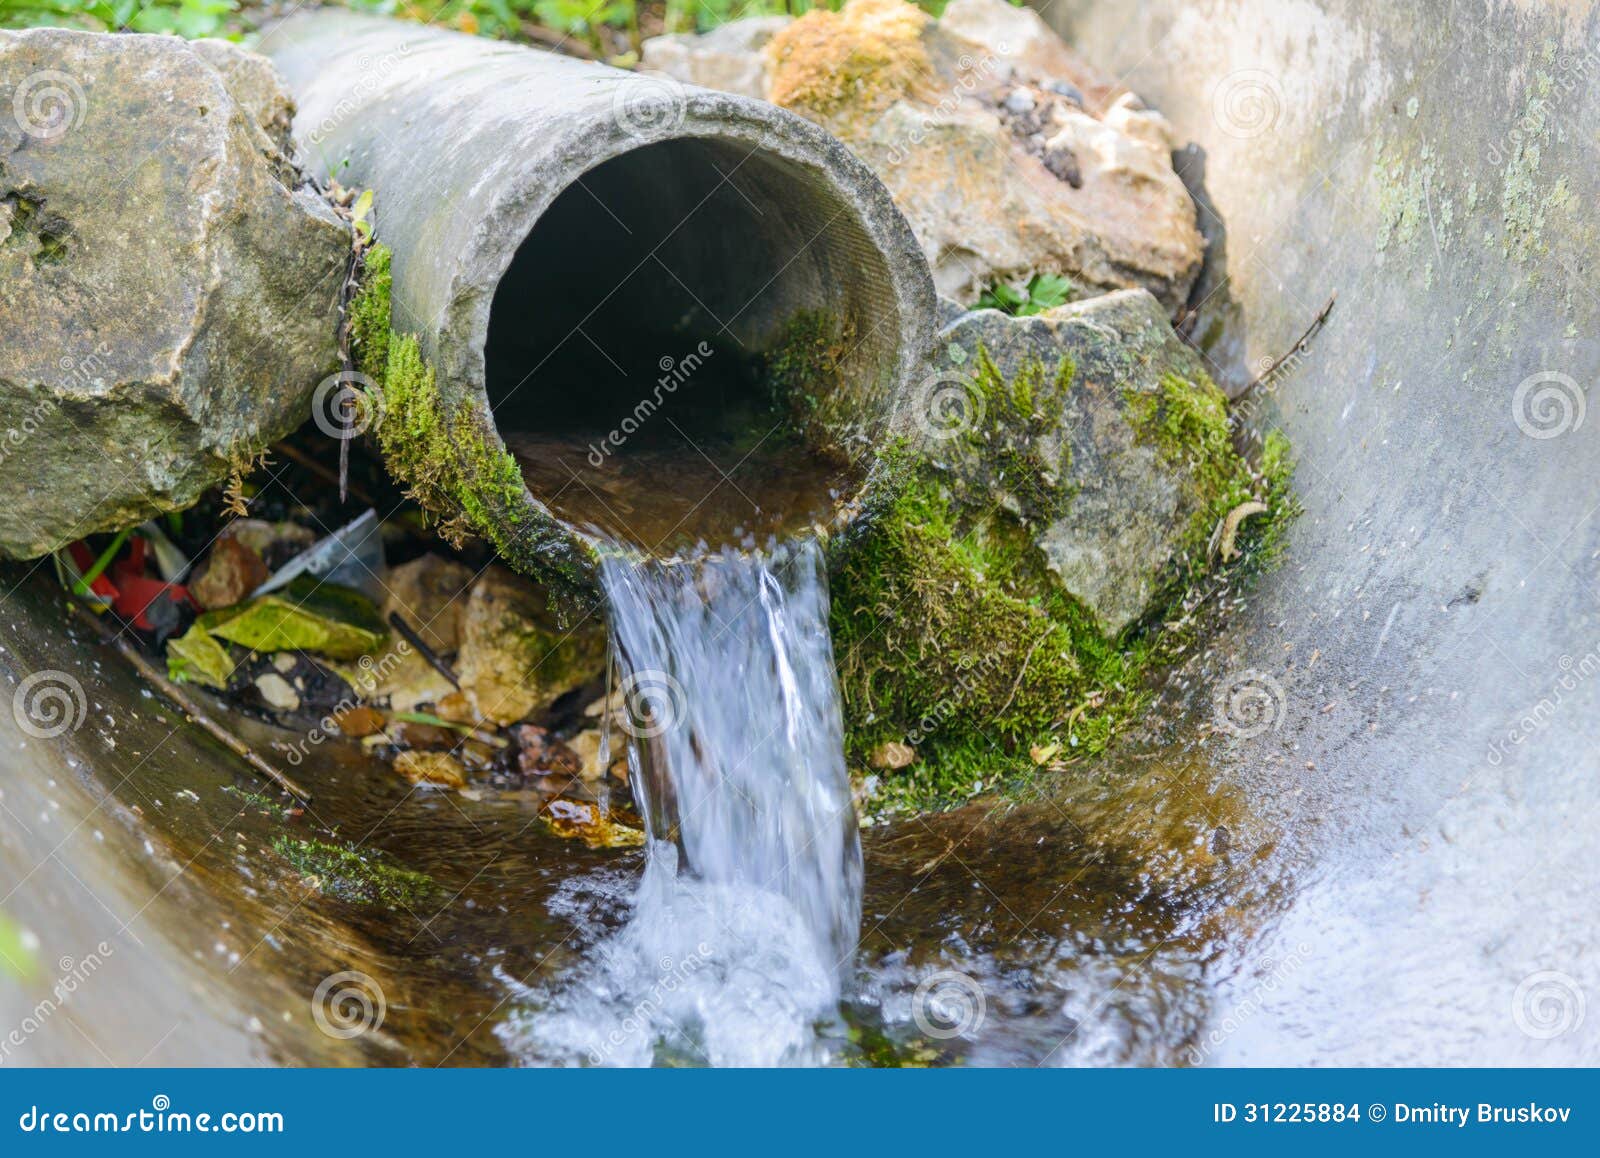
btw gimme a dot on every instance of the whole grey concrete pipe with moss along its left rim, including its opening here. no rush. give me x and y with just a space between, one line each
617 301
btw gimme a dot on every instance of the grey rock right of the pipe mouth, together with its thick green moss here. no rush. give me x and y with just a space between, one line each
1046 508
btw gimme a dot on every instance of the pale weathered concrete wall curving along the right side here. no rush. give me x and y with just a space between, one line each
1436 625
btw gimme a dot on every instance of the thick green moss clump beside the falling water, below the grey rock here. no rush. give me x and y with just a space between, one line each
950 636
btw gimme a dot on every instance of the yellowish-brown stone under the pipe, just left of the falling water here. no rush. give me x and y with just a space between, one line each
514 658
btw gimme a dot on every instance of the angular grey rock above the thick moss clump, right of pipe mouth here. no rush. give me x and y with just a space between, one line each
1108 500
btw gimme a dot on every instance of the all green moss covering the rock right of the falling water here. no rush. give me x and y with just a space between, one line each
953 634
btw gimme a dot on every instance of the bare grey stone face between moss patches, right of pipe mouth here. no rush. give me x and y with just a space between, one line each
1121 506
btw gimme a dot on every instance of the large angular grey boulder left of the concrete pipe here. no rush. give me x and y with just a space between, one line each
169 289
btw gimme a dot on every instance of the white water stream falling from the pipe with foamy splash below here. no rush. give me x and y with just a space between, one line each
745 925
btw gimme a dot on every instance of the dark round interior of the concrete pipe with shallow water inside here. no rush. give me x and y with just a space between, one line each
631 340
